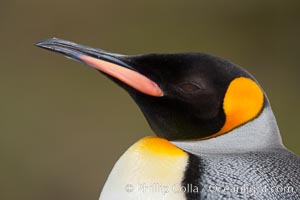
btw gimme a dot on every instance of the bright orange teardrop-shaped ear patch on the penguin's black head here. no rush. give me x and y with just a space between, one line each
243 101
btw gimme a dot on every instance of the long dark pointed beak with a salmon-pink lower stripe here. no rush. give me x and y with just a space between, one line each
108 63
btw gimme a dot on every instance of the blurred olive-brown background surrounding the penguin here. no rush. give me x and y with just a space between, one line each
63 125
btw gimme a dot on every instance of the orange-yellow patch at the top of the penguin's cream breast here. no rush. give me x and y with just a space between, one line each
158 146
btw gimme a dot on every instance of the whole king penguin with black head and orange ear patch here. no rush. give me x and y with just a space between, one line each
216 134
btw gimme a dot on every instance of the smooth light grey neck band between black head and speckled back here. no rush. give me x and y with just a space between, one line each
260 134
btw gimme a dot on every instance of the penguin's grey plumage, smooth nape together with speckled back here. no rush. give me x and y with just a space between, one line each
250 162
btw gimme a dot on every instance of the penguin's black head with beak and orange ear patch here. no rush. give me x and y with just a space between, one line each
184 96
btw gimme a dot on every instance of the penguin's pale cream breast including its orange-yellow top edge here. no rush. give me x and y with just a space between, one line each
149 167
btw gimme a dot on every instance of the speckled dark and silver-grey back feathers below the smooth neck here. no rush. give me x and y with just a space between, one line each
271 174
